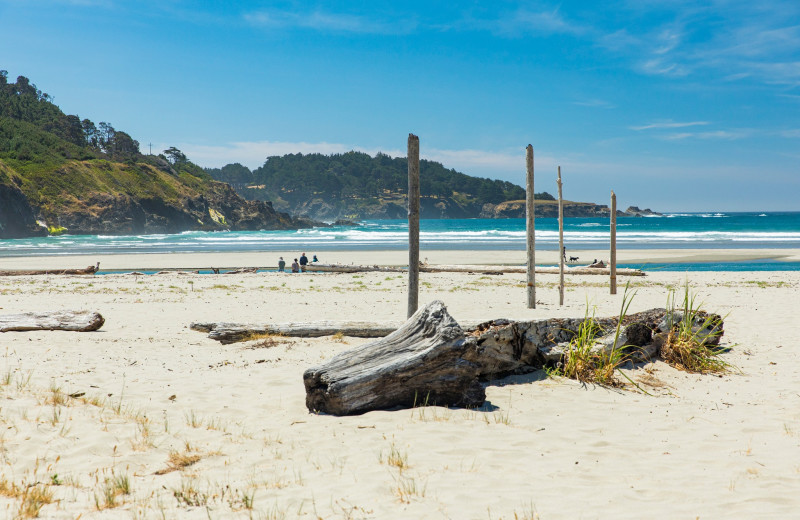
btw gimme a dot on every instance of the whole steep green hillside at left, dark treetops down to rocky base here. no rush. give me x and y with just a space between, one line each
70 175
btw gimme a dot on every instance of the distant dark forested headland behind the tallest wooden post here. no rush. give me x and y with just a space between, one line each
355 185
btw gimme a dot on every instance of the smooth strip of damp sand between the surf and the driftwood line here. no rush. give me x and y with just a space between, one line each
268 259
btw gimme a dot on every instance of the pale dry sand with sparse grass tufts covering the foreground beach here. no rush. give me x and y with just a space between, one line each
157 395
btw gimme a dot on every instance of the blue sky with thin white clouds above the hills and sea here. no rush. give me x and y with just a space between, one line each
675 105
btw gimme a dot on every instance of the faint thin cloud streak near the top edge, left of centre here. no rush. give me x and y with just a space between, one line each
323 21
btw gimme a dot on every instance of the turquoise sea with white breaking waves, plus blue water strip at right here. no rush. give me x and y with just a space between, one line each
671 231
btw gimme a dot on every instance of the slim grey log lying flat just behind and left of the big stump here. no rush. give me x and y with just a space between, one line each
227 333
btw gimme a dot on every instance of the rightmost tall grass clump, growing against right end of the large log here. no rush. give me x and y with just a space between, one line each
692 347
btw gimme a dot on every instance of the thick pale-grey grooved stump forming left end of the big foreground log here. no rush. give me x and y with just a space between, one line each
424 361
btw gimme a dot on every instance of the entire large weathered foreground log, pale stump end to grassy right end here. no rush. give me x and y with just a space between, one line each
430 359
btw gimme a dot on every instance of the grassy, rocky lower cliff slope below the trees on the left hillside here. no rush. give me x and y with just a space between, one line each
105 197
